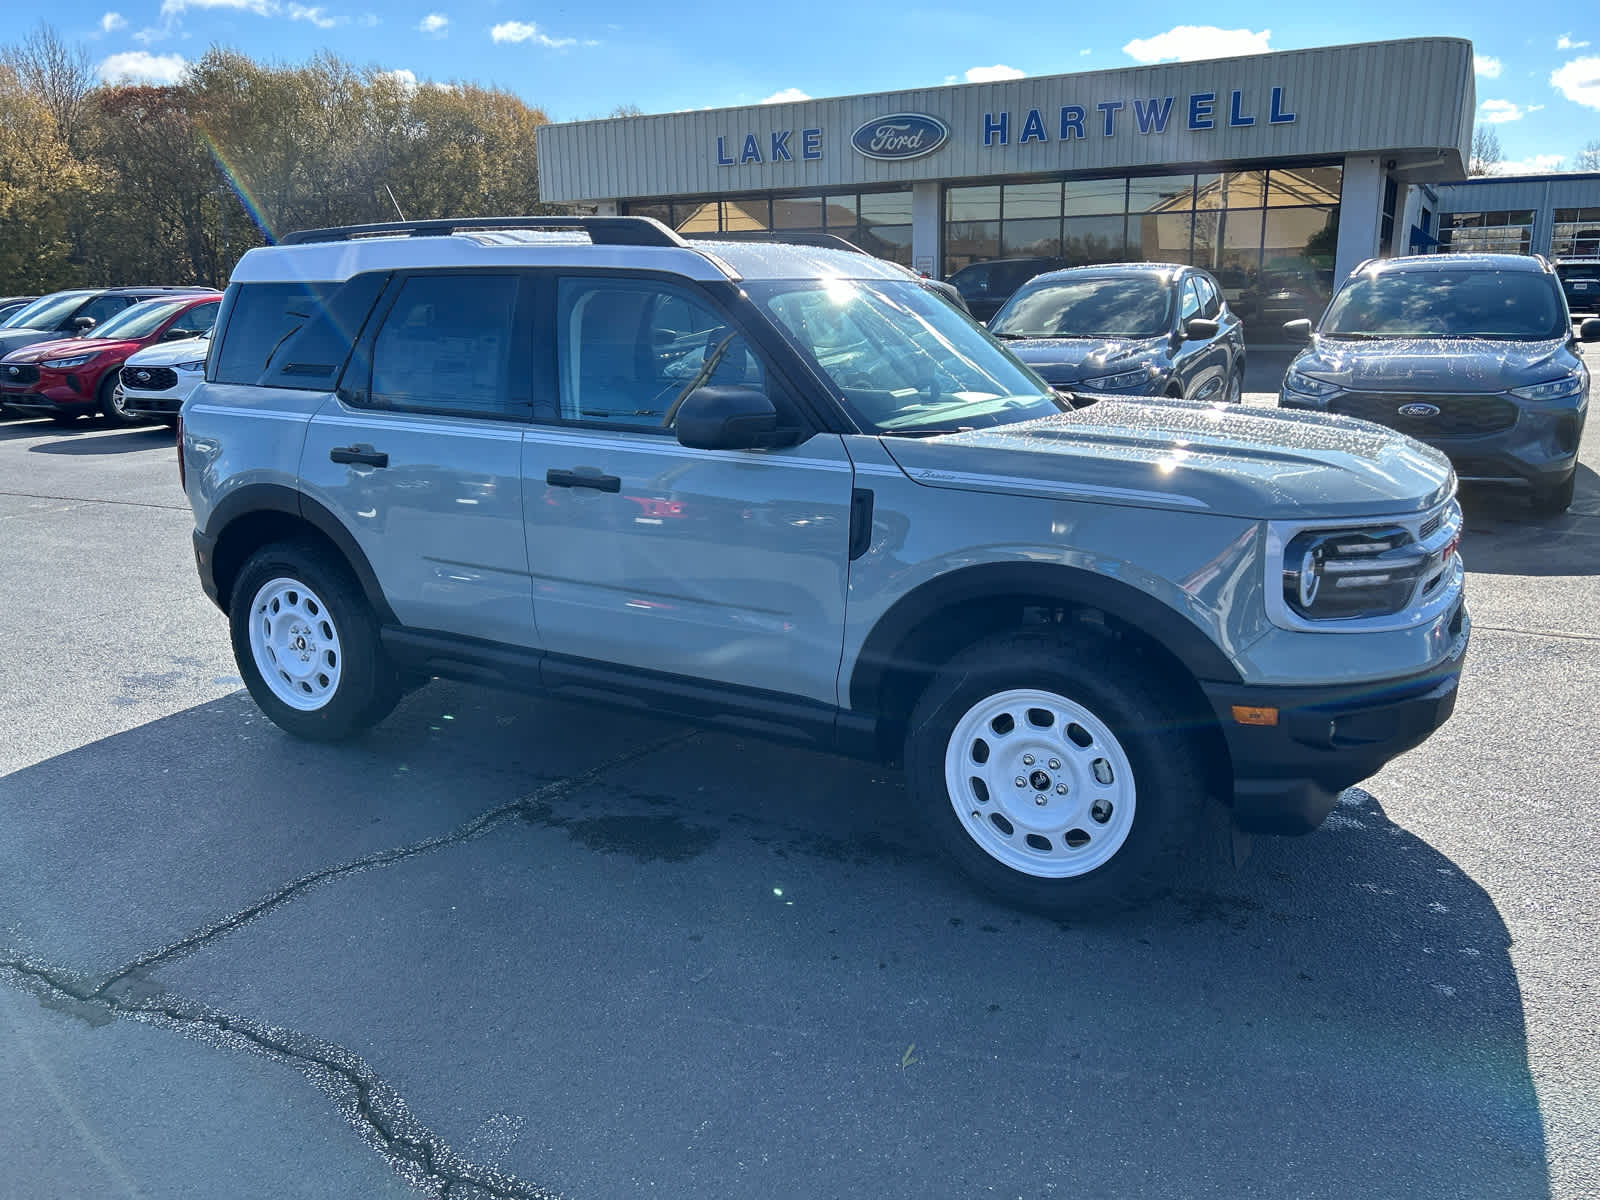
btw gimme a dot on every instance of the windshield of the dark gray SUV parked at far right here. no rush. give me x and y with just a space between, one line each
1447 303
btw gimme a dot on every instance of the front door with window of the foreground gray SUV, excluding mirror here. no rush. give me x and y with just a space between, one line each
721 566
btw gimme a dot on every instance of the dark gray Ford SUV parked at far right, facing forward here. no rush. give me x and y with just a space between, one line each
1473 354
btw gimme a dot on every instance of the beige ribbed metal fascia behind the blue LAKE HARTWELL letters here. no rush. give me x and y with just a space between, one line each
1378 98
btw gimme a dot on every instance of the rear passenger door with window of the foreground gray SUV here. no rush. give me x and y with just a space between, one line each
420 452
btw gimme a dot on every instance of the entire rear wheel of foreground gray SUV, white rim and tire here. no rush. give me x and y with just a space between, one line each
308 644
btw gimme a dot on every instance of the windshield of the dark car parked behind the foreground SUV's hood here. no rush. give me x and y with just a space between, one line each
1124 306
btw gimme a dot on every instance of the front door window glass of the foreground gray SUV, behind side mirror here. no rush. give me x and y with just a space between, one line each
630 348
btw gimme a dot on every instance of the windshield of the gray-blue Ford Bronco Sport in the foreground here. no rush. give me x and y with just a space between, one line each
905 361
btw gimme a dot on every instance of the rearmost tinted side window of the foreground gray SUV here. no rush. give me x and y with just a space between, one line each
294 335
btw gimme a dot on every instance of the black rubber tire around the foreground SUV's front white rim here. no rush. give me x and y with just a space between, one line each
1081 666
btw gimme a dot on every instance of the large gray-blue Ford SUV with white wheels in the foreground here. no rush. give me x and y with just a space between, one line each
786 490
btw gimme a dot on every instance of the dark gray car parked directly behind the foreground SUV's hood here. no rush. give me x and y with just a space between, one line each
1135 329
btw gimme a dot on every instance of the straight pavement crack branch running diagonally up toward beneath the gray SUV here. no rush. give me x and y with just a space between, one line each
526 807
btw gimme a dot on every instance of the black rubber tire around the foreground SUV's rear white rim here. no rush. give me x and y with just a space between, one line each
369 686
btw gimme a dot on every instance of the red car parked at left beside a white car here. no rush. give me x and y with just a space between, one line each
78 377
